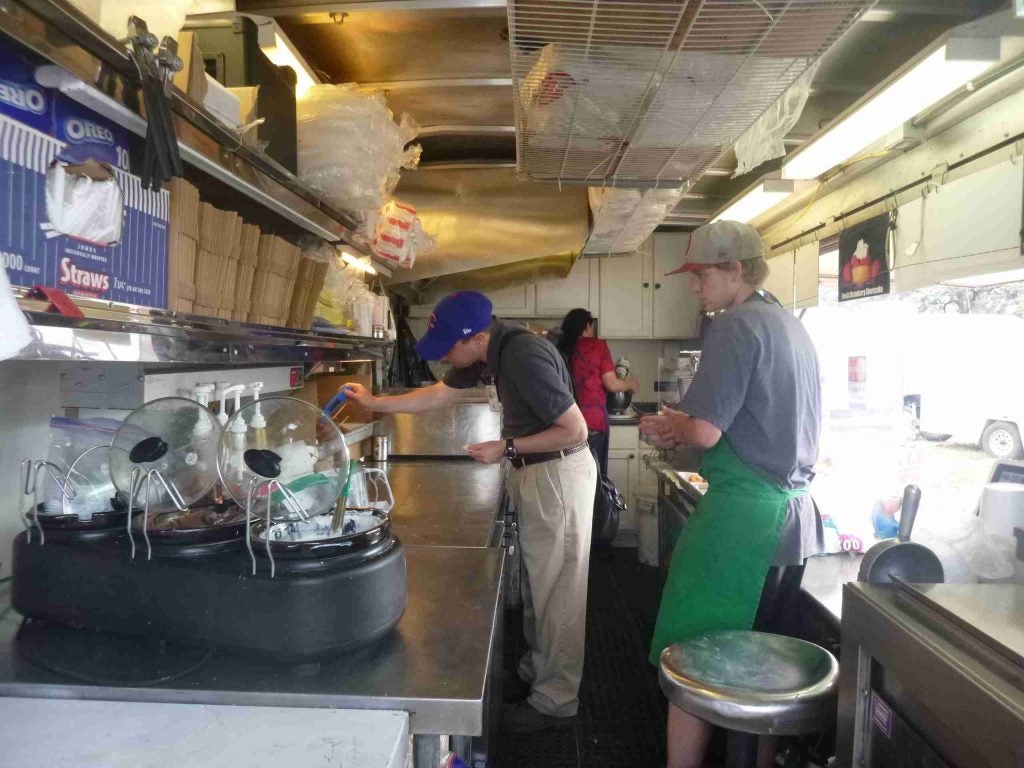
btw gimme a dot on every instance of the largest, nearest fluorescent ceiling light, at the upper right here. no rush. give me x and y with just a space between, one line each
940 74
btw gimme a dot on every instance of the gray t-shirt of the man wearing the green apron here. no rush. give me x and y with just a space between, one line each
759 383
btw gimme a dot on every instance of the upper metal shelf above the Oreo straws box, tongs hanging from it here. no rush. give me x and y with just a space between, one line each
60 33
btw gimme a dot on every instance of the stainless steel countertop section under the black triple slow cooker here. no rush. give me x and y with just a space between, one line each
434 666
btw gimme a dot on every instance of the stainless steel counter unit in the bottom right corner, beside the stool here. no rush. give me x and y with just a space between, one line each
932 675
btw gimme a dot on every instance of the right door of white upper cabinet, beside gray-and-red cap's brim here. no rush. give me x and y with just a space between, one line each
675 309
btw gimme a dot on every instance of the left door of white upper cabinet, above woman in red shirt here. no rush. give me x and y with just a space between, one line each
625 308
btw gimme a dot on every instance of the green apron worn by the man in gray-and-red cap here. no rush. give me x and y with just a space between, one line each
723 554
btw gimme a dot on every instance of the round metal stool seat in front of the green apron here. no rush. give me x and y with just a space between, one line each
752 682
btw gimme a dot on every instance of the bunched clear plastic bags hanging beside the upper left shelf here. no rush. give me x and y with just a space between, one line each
351 150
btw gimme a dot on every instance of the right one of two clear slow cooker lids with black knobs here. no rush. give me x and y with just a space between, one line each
300 447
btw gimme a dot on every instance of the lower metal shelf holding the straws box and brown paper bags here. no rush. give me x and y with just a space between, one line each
112 333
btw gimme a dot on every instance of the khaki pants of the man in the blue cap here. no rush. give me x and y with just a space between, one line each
554 503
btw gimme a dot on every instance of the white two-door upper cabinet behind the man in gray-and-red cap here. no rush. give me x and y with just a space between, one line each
637 302
